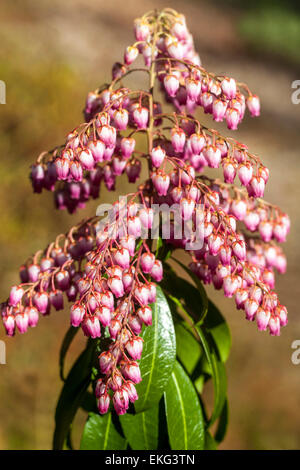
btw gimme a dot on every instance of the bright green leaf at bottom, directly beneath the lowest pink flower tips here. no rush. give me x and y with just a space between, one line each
100 433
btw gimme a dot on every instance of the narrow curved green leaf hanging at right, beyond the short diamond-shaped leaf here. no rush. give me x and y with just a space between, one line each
218 373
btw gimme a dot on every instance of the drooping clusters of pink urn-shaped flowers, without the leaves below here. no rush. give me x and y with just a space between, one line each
109 274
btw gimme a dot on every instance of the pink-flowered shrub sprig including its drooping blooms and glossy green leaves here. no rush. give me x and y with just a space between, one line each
119 272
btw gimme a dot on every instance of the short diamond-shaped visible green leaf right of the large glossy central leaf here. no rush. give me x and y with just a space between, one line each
188 348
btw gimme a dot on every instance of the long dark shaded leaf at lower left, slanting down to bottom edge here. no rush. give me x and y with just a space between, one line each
72 394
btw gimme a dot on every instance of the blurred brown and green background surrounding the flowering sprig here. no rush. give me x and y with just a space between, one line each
51 54
